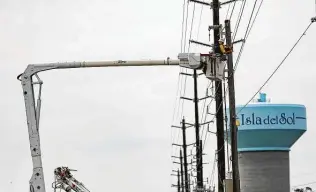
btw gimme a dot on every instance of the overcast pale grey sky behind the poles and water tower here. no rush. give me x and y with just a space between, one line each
113 124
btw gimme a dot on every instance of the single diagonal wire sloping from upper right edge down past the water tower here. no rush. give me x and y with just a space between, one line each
304 33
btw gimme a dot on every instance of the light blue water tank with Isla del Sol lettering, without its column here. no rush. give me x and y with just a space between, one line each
269 127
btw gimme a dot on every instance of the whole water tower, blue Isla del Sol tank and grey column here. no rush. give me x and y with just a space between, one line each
266 133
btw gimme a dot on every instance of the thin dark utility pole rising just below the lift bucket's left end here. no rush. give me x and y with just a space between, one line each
197 134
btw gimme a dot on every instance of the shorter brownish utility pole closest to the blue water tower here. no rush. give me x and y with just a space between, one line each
232 111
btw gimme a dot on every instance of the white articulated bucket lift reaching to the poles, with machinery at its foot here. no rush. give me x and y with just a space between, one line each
212 70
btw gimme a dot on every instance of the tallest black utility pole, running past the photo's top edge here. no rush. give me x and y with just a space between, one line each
219 103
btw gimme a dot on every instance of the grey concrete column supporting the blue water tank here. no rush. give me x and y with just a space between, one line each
264 171
